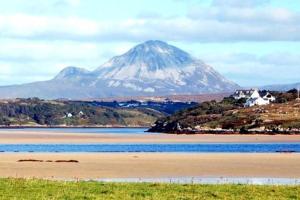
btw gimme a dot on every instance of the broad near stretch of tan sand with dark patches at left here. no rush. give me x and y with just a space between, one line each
149 165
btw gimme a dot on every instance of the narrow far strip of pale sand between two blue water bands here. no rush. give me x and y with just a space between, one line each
31 137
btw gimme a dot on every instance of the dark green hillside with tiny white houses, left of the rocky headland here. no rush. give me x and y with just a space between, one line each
36 112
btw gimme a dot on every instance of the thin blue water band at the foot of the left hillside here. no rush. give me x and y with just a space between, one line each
84 130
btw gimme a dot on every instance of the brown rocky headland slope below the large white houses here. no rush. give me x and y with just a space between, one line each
230 116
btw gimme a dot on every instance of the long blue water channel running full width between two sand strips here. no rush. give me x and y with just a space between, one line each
202 148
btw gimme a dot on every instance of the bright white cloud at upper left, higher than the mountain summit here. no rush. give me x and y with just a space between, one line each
43 28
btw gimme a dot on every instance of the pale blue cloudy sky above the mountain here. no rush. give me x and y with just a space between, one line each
251 42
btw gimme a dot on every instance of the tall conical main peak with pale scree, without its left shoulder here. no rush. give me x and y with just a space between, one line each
158 67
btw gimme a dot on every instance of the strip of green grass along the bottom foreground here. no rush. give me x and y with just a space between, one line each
40 189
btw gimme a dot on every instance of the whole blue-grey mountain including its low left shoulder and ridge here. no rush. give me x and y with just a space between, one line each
153 68
